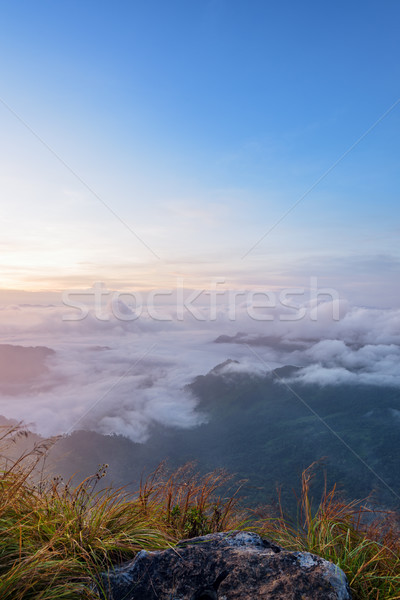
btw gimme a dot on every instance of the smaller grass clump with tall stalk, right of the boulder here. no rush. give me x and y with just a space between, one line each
363 542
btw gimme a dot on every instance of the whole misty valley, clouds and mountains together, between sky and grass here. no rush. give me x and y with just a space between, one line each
262 399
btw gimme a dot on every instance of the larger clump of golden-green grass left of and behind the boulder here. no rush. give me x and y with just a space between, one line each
56 538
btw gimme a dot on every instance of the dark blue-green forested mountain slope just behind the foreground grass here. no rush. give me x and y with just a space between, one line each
266 432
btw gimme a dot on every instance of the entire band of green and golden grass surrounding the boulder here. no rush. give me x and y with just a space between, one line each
56 538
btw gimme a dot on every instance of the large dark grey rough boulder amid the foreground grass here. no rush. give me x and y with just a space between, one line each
226 566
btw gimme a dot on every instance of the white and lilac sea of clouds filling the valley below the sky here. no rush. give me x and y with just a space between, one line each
116 372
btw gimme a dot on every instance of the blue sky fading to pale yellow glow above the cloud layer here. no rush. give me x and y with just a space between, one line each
200 124
